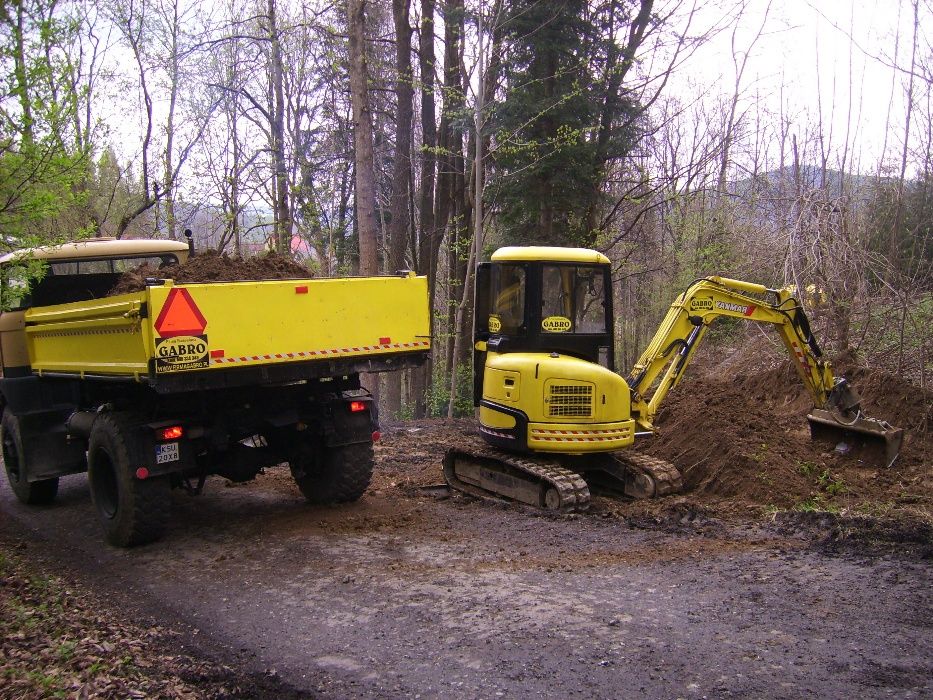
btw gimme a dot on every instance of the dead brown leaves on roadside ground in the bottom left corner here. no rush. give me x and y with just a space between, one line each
56 640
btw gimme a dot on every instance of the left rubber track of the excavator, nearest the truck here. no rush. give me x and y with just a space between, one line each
573 490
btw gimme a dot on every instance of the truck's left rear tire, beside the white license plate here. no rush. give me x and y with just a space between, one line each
133 511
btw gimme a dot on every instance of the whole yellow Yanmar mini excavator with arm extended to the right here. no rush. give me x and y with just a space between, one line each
552 410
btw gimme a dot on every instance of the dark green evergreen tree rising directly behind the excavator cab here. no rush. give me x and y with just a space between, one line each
549 158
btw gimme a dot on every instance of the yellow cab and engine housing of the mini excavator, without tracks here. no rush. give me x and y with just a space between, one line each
543 369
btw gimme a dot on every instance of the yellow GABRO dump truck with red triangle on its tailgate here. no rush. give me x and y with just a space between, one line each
160 388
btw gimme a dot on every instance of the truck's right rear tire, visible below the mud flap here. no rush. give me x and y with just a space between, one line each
337 474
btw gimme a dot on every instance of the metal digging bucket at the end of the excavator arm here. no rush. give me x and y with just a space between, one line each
842 421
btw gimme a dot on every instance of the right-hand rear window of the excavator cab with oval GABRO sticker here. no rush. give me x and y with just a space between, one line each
573 299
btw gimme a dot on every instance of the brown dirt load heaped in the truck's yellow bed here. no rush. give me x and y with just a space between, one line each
211 266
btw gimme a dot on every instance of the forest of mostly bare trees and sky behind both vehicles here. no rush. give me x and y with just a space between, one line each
367 137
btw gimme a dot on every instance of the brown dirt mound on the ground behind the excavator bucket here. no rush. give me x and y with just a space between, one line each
746 438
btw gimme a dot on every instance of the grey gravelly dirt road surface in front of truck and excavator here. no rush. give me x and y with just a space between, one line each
405 594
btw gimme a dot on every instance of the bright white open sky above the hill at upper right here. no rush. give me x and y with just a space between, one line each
806 60
